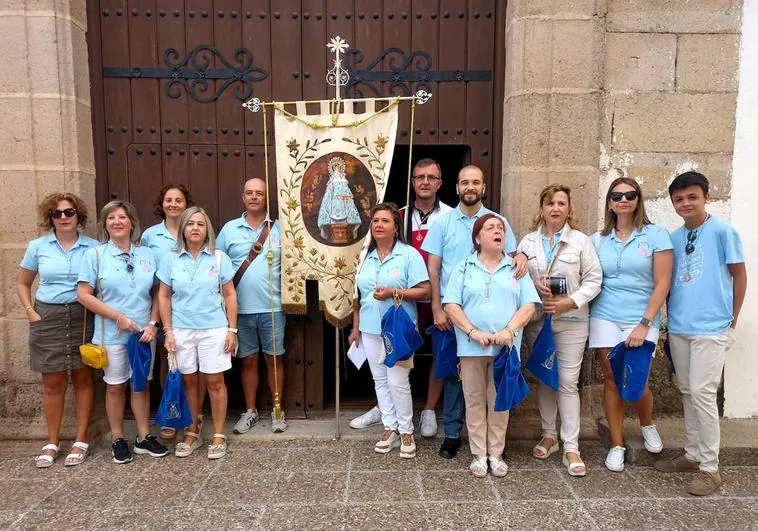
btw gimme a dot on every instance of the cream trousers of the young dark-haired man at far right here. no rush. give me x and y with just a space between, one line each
699 364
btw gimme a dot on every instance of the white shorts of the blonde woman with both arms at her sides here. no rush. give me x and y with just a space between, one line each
203 349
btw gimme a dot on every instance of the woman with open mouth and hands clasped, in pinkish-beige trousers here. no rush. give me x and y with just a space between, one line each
488 307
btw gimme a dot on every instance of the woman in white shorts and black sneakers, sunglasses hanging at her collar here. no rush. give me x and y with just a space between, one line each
117 283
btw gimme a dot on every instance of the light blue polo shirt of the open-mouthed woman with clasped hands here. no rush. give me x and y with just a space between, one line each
489 300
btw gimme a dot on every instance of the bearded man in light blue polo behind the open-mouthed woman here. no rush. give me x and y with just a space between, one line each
448 242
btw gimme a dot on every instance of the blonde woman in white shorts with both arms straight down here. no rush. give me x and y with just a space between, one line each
198 307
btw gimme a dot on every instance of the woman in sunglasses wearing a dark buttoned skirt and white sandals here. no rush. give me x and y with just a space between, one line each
56 319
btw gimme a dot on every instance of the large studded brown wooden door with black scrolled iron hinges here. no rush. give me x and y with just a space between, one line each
169 76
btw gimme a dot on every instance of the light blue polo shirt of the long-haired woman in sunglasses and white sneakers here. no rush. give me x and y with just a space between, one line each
627 274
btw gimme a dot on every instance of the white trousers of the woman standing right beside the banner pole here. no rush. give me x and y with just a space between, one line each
393 389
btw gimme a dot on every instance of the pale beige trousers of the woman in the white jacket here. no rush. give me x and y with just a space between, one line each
570 341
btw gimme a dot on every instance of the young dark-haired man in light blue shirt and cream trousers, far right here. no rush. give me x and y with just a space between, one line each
707 290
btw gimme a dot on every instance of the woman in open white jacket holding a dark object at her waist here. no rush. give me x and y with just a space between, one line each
566 272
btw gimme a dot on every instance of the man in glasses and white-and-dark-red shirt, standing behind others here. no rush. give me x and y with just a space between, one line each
426 180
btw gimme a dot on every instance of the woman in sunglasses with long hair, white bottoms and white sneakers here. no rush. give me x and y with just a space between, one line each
636 258
